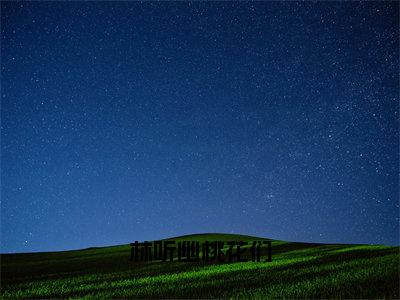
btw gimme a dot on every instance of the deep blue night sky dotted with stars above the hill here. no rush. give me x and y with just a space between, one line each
125 121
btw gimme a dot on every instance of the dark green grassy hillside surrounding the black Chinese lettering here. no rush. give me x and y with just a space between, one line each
297 270
